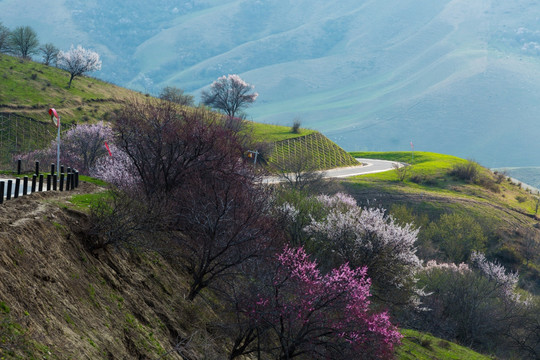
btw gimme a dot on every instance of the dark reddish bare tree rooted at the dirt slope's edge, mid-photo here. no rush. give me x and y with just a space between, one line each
224 221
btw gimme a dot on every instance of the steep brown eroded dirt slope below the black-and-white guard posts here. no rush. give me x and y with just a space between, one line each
59 300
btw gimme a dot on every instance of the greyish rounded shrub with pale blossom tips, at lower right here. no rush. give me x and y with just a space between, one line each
472 303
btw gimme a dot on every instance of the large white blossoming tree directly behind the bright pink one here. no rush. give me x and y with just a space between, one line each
347 233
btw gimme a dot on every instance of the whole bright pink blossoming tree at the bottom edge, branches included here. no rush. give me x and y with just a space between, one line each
305 313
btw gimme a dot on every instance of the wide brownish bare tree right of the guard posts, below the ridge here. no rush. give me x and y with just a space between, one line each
165 143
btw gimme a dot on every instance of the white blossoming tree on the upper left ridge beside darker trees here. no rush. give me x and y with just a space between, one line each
78 61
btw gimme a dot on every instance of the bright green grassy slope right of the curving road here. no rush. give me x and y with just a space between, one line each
506 215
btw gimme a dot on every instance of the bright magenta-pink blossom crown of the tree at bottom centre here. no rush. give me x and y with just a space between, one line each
334 307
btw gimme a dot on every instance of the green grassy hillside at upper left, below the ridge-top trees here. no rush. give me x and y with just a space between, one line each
28 89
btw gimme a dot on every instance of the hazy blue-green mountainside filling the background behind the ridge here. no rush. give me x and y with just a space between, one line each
453 76
